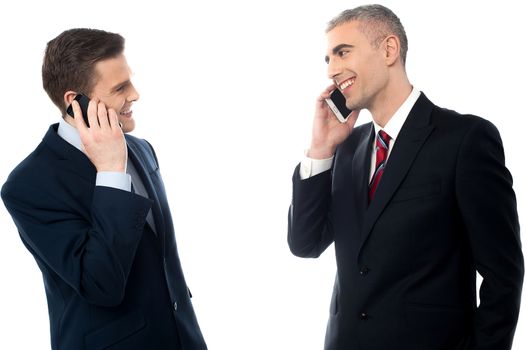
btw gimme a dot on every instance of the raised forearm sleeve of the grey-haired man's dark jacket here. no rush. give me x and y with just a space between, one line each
310 231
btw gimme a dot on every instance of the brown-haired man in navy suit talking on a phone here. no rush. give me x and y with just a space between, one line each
90 205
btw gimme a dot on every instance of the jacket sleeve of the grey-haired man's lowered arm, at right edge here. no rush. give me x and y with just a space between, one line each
489 211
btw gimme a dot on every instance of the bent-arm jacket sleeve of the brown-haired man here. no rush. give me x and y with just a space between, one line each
94 253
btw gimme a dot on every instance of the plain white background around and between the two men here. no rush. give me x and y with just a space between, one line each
228 90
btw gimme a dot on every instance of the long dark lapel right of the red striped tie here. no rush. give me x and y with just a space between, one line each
412 136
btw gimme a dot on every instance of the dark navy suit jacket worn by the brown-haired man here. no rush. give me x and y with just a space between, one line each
111 282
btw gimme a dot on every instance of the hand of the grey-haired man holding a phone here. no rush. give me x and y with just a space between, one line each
327 131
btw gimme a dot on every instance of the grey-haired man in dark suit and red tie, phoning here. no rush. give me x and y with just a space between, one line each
413 213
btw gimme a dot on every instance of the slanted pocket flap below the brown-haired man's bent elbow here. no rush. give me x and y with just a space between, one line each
115 331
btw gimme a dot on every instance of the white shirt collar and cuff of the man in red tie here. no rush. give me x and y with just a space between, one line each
310 167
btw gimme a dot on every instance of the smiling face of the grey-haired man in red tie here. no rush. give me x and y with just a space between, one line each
357 68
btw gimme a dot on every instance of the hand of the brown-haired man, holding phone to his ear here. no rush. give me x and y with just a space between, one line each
103 141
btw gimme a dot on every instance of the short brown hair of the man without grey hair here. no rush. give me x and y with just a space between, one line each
70 58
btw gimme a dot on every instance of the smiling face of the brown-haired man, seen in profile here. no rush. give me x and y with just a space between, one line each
115 89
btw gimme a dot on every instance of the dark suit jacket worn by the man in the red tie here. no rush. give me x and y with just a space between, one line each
407 263
